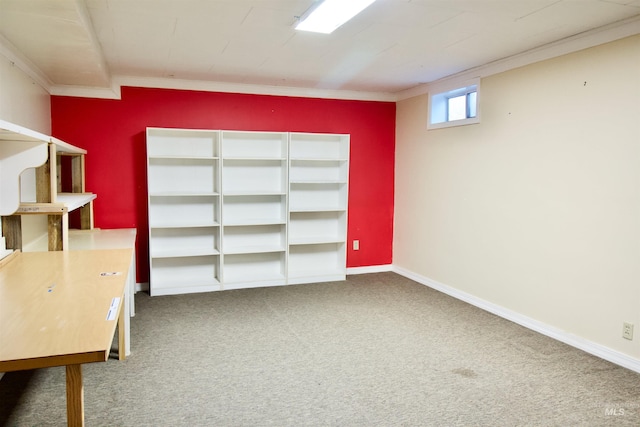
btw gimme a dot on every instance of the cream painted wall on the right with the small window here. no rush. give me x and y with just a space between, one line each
536 210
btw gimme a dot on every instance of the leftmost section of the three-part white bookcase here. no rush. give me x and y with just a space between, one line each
183 175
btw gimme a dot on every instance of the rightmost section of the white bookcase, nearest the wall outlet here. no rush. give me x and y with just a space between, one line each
318 194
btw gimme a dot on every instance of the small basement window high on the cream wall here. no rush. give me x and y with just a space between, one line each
454 107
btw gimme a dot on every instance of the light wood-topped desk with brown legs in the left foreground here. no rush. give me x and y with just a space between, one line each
59 309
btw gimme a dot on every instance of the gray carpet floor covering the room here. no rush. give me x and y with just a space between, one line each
375 350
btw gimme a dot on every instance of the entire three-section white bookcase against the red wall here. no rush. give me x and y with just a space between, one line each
235 209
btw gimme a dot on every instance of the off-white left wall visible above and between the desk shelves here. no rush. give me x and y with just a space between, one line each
26 103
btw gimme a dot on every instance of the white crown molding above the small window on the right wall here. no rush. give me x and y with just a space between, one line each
601 35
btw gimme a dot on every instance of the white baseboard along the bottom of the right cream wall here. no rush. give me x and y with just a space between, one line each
590 347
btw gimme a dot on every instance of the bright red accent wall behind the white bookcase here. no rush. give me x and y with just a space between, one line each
113 133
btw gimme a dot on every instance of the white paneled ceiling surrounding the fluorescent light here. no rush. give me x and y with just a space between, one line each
392 46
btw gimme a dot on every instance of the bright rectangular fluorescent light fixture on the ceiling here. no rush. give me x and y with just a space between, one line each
328 15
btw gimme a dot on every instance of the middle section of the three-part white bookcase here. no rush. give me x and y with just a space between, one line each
254 182
